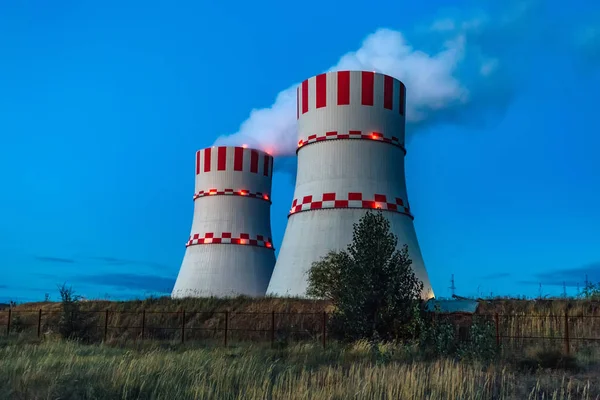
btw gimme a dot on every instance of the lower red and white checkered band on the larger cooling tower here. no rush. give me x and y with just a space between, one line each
350 200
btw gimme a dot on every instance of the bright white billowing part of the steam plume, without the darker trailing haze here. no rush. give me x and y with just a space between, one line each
429 78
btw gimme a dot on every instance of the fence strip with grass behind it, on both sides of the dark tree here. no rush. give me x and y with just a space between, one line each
569 332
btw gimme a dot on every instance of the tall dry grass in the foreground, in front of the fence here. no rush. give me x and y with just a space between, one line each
304 371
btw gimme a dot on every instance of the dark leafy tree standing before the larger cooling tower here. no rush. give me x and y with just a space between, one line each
371 284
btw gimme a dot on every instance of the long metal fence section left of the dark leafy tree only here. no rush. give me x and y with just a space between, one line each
179 325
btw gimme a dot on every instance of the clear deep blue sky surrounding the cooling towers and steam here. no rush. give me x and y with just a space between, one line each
103 105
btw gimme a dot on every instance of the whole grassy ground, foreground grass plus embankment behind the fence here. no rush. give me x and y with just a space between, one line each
127 368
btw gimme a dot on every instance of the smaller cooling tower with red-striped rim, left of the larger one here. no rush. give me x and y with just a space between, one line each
229 251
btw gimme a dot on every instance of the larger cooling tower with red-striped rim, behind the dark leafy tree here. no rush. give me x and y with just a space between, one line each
350 160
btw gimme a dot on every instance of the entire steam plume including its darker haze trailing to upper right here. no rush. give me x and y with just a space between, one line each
469 78
